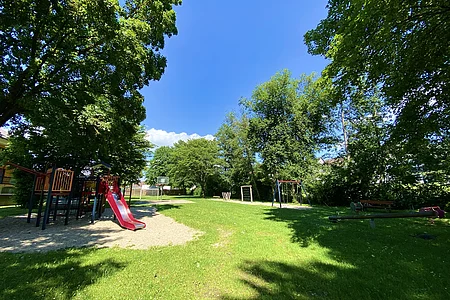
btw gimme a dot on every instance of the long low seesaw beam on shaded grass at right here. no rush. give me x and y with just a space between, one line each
430 212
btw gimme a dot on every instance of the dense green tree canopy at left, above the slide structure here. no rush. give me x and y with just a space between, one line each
70 77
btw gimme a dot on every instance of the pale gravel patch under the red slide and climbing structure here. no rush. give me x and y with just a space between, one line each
16 235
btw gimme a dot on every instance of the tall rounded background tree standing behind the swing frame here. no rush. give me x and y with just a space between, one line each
287 122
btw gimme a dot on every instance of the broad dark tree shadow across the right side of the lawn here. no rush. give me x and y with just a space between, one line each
352 260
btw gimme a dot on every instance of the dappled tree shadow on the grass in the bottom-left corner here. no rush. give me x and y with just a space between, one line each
55 275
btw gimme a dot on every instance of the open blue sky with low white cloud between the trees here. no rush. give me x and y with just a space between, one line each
223 50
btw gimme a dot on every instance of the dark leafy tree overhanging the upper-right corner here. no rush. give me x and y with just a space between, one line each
401 47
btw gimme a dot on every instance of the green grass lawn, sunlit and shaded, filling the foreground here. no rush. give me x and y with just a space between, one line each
249 252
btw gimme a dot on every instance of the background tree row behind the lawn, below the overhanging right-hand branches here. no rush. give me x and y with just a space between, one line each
294 129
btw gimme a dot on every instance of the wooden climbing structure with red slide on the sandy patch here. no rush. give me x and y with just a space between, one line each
63 194
